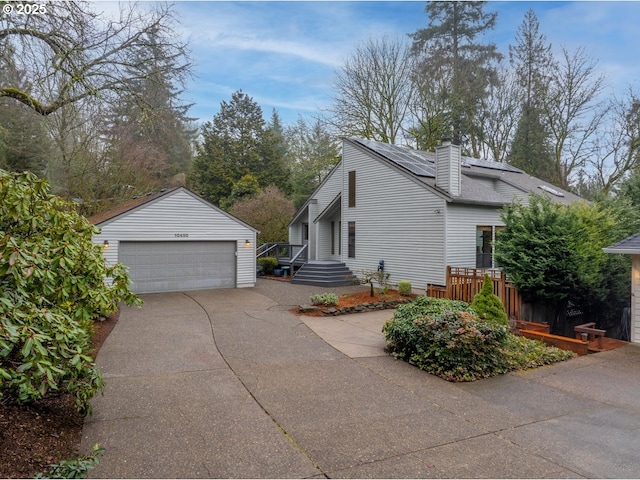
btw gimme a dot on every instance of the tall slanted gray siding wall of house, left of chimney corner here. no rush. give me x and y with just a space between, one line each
397 220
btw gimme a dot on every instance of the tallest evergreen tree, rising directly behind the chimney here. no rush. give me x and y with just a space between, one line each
449 49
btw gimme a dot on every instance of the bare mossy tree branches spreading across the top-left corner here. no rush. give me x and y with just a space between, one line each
71 53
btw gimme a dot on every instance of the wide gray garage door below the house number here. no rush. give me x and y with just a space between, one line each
175 266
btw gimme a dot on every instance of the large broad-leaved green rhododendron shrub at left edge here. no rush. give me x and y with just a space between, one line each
52 284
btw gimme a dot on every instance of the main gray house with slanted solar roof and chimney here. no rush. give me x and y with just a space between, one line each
417 211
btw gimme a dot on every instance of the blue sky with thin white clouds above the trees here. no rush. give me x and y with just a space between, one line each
286 54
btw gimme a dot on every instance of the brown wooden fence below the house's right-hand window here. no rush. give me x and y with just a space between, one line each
464 283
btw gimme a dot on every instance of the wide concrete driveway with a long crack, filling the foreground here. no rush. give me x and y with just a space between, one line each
228 384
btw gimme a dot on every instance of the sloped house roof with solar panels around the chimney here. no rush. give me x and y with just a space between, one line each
483 181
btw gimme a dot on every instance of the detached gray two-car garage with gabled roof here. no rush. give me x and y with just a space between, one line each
174 240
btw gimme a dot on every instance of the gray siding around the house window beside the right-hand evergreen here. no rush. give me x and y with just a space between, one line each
462 221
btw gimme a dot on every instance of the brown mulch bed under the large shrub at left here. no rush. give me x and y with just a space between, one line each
35 436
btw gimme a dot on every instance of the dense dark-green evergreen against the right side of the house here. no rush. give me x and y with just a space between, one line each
553 254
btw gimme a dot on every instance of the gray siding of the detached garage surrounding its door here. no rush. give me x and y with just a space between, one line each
181 217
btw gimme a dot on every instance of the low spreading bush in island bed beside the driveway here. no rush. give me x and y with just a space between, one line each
446 338
